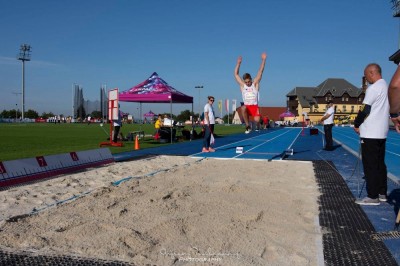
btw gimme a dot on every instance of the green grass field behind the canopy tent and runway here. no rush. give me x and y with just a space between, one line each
26 140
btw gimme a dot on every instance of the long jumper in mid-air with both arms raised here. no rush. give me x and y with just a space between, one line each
249 89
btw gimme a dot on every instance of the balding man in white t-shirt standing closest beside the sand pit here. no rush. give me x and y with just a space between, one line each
372 123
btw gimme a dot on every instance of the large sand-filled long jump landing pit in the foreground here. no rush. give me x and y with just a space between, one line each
173 211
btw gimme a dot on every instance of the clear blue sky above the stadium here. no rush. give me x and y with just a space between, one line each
188 43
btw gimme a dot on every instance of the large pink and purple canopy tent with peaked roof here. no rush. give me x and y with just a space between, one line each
155 90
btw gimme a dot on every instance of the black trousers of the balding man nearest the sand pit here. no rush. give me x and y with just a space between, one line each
373 158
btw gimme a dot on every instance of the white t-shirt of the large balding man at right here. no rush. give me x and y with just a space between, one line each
376 125
